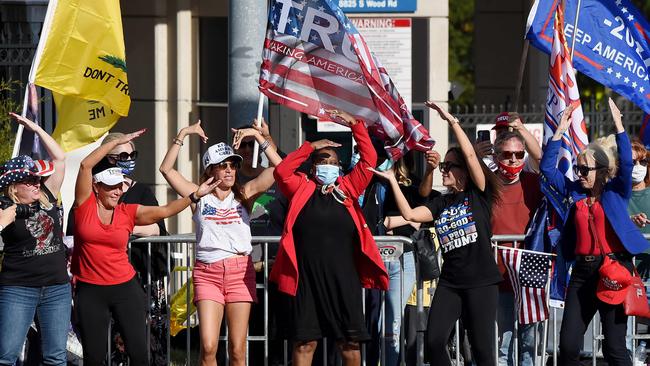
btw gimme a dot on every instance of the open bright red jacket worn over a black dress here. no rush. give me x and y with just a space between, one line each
298 188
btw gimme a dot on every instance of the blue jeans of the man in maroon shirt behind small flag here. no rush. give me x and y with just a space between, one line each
526 334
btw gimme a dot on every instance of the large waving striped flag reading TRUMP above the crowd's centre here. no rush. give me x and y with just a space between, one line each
314 59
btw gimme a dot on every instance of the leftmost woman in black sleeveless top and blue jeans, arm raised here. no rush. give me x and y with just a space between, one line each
33 280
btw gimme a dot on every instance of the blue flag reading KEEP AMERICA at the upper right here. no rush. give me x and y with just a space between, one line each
612 43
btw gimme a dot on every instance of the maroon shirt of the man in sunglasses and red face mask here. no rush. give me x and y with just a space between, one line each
510 216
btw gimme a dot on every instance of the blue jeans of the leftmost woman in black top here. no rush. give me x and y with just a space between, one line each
51 305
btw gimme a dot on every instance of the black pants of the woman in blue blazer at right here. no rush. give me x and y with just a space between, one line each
579 308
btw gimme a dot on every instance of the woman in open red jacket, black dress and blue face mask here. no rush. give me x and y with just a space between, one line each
327 254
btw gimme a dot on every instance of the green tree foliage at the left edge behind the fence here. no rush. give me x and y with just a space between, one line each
8 103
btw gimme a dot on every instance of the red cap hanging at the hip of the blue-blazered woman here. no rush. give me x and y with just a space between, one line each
613 282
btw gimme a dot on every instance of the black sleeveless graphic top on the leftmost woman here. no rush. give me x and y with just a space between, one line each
34 254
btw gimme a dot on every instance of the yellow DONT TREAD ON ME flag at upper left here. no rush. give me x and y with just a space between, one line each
81 59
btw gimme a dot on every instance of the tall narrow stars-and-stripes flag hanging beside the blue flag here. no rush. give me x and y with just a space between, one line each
562 91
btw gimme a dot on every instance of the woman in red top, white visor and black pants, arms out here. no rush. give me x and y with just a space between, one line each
106 283
